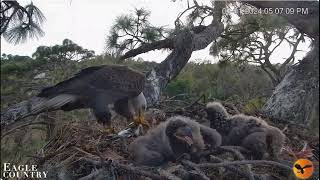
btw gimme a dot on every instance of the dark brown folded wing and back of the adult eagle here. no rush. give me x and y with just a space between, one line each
115 81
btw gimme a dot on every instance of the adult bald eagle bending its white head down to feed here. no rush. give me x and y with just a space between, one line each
97 87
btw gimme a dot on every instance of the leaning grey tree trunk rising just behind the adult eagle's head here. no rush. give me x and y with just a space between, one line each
184 44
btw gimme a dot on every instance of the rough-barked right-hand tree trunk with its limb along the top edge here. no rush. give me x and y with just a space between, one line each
296 98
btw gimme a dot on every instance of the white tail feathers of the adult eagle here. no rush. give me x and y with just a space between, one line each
54 103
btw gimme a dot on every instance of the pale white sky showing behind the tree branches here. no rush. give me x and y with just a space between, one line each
87 23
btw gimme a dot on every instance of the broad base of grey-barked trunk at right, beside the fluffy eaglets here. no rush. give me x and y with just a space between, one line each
296 97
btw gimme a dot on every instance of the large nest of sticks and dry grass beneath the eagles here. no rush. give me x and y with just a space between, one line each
82 150
